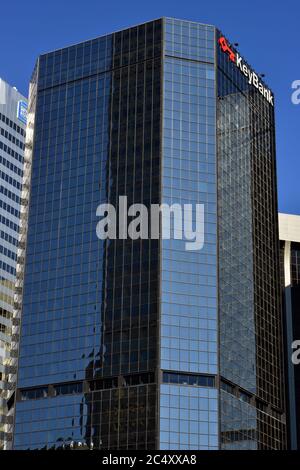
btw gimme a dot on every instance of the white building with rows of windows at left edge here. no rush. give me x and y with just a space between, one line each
12 139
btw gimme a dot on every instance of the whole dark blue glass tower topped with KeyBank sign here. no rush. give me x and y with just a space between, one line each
141 344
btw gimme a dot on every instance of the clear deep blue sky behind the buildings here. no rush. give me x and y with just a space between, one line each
267 31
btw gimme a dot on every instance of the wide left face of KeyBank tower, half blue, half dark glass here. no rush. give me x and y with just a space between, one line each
89 320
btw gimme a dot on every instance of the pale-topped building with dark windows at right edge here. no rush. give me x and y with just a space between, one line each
289 234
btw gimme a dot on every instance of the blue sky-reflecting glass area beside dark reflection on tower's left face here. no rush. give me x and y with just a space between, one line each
63 252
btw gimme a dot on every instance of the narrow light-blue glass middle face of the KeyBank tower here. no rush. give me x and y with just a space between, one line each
189 327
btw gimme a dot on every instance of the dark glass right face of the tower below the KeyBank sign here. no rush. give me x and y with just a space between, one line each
251 358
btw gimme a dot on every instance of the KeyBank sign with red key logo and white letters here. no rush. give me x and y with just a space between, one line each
253 78
